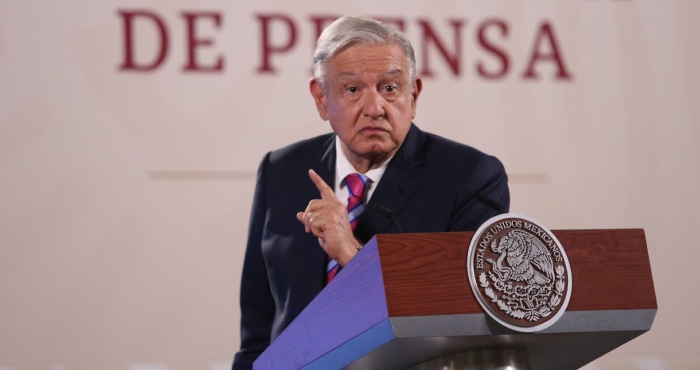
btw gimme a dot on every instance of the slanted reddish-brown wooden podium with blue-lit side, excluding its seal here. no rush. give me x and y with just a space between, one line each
405 299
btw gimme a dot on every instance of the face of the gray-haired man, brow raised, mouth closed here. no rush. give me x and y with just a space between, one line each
369 101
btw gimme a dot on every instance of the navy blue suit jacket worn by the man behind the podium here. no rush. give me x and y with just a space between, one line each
431 184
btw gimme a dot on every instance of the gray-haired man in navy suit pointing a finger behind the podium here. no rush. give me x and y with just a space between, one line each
365 85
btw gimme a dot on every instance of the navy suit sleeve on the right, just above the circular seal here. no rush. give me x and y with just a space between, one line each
485 195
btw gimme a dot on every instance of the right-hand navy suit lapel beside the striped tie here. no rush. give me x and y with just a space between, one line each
398 184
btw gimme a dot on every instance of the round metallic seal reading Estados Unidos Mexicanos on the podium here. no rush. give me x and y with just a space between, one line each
519 272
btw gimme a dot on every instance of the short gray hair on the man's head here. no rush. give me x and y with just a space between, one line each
348 31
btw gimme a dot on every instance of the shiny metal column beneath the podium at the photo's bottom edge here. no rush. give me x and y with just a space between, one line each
489 359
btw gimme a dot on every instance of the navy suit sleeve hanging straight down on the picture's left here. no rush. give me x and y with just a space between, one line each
257 303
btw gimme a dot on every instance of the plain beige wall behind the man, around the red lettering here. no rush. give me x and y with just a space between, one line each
124 196
